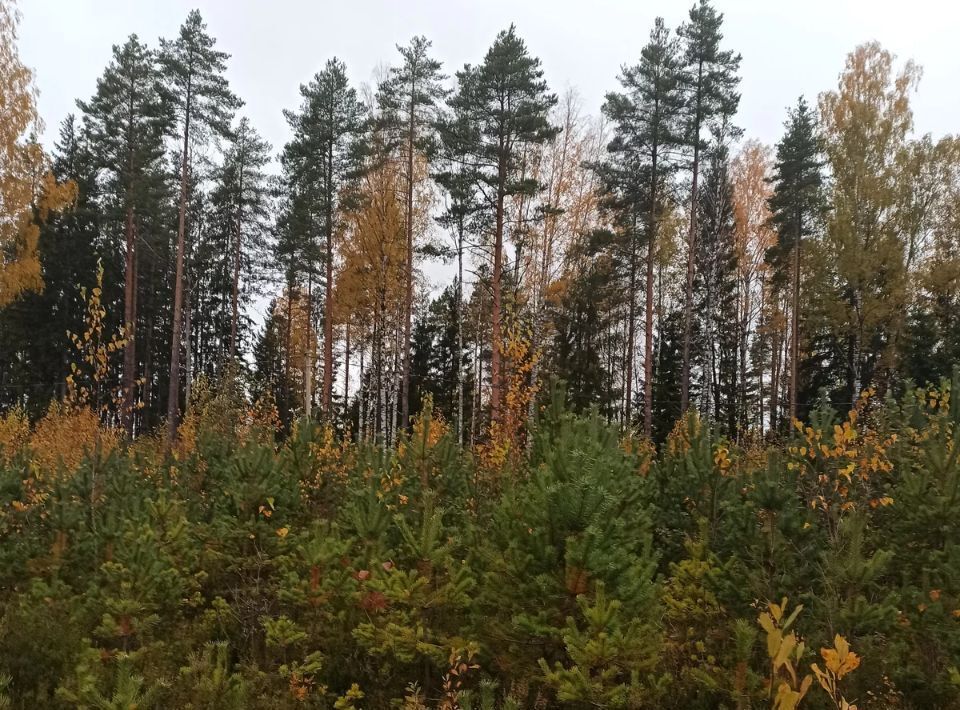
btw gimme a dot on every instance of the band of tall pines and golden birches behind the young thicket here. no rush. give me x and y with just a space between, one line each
652 257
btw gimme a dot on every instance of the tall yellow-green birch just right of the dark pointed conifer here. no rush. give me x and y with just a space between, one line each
866 123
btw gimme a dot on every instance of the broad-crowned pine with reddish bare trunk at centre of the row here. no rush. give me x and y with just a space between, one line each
505 104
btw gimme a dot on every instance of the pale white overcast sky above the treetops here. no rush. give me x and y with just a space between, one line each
789 47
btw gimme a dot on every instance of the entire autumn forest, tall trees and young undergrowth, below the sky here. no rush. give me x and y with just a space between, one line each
464 398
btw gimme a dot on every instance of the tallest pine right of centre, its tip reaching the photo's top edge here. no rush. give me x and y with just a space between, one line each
708 81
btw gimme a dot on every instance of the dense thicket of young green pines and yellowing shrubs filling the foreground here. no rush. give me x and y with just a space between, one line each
596 570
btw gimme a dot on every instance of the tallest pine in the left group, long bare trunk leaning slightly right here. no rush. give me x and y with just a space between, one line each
197 89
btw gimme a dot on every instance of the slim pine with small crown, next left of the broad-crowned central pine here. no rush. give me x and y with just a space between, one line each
410 100
